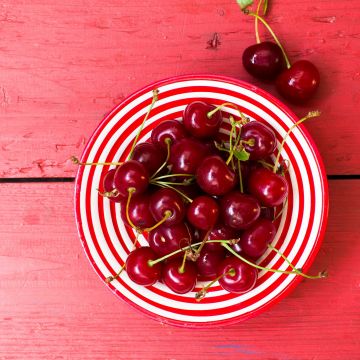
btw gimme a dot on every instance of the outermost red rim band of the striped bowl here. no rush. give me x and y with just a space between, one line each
323 180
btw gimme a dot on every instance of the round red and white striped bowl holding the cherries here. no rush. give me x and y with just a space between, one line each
107 242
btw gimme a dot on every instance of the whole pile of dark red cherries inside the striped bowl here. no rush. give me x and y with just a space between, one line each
205 202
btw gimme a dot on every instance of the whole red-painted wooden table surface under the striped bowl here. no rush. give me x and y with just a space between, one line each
66 64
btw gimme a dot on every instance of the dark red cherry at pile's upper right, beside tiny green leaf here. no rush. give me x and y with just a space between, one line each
264 140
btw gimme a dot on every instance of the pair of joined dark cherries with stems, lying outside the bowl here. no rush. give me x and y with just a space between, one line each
268 61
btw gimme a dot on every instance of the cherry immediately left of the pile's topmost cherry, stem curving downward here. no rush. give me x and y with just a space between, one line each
169 129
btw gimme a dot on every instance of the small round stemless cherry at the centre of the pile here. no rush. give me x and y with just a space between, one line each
203 212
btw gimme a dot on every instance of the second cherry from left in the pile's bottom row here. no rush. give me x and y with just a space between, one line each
180 283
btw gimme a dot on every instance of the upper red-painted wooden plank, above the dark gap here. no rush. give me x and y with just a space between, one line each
65 64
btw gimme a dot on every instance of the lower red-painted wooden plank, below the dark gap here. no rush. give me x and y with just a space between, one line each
53 306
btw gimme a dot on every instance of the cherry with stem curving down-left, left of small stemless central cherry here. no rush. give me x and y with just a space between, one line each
167 200
